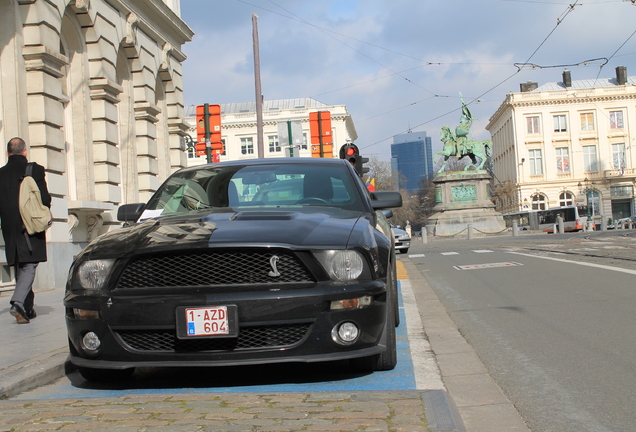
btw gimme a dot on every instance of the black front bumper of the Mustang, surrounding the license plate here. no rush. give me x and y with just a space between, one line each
138 327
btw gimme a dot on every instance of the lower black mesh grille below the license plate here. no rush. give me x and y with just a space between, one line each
275 336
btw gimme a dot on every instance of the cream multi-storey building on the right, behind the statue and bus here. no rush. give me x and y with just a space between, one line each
566 142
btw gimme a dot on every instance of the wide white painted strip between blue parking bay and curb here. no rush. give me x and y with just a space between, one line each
427 373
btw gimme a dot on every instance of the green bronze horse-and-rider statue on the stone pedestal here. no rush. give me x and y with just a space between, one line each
457 144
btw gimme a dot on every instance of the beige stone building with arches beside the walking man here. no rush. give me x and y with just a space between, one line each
95 87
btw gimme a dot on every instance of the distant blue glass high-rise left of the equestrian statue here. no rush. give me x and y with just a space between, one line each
412 157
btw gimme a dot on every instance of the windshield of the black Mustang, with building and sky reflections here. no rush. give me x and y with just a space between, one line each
282 185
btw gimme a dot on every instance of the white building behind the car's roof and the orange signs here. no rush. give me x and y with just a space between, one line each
238 128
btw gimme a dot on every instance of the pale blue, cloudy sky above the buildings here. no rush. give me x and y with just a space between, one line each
401 65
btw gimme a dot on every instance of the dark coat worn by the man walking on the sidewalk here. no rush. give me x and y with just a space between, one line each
13 230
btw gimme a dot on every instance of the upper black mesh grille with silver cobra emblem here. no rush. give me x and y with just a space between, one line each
214 267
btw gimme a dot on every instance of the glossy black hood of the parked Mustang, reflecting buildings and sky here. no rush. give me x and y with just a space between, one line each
326 227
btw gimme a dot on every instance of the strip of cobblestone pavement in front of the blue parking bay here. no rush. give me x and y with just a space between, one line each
381 412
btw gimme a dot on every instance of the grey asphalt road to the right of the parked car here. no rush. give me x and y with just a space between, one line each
551 317
